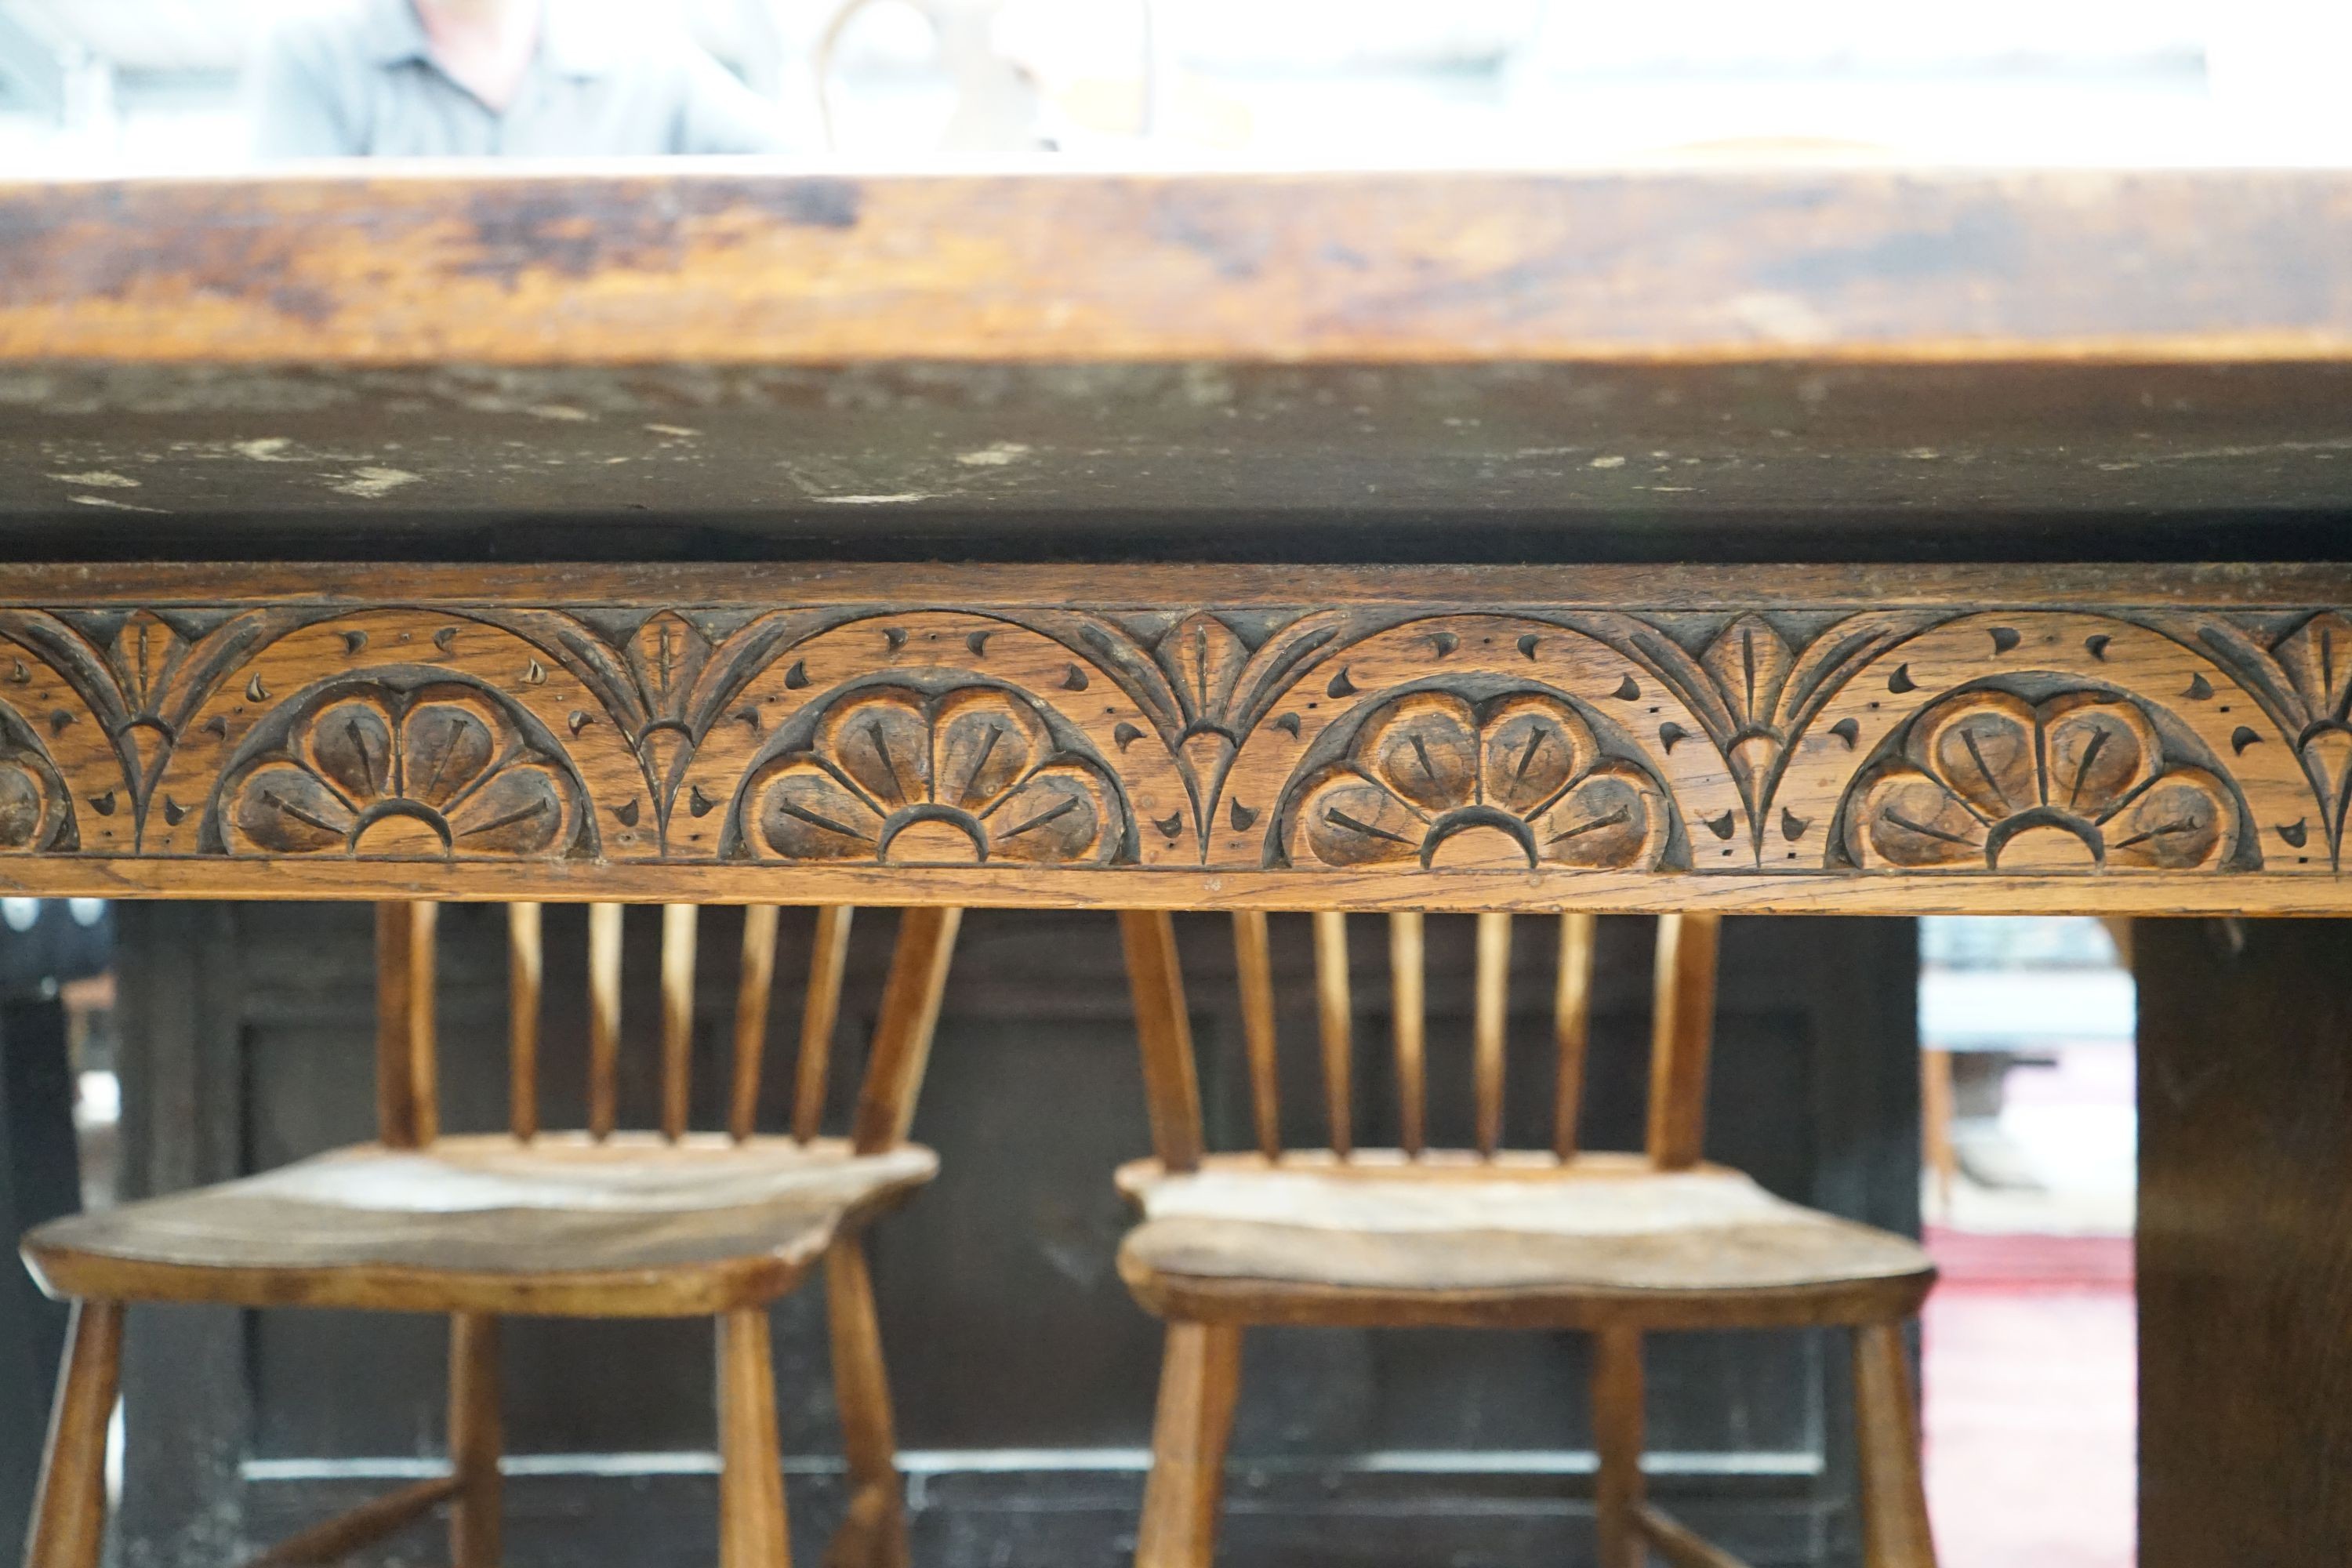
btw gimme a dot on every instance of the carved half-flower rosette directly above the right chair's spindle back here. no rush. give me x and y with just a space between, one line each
1511 782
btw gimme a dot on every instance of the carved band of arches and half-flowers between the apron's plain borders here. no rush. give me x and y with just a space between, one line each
1516 739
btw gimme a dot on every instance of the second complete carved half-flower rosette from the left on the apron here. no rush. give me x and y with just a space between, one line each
965 777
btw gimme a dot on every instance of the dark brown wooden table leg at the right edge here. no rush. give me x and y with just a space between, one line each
2245 1252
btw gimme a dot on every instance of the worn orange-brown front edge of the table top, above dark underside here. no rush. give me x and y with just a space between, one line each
608 267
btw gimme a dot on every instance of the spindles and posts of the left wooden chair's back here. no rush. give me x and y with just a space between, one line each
895 1061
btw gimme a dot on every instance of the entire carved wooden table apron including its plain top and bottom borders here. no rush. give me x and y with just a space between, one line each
1631 739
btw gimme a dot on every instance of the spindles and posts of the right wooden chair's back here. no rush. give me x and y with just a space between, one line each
1681 1033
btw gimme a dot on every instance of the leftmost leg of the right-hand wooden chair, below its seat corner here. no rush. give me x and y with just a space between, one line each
1198 1381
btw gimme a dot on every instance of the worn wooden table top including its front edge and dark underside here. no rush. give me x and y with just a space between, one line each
1506 366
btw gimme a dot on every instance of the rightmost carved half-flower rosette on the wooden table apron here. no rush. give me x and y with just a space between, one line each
2073 784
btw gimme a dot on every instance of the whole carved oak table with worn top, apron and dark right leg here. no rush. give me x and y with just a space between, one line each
1876 542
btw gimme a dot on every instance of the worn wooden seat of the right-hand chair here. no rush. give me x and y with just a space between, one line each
1521 1240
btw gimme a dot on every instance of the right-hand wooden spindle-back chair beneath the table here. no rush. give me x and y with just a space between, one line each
1488 1238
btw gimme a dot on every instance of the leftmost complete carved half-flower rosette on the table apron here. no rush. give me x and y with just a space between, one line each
441 770
